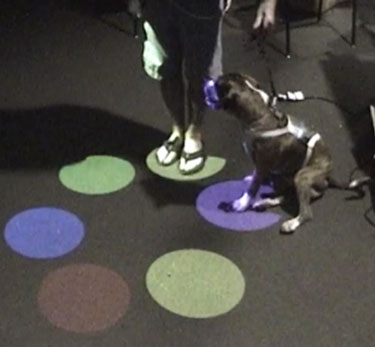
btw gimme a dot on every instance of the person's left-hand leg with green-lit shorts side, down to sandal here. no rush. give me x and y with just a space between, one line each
163 36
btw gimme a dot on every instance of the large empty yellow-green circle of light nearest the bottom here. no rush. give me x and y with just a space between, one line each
195 283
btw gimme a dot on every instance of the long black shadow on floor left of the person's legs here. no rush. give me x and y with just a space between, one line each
62 134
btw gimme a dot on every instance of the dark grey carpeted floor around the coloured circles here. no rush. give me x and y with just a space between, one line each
72 85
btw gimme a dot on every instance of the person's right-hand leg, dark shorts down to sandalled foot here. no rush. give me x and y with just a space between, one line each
203 60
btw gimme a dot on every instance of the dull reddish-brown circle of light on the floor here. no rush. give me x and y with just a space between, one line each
83 298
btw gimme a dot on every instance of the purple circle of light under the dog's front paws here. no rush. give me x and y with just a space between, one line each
208 206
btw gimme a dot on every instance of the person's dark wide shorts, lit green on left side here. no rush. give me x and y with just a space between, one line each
177 40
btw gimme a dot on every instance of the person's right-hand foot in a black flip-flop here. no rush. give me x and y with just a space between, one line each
192 158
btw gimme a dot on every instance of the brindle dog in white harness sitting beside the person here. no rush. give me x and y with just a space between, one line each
281 147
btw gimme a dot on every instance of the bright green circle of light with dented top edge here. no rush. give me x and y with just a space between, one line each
97 174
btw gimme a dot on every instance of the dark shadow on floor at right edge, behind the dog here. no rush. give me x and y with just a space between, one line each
352 79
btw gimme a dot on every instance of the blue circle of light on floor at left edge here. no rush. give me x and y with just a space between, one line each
44 233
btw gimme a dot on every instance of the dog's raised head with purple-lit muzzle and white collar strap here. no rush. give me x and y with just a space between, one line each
236 93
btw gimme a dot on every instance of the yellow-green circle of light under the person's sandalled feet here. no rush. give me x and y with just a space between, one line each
212 166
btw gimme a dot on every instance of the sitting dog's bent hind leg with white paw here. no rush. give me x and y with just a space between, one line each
305 181
